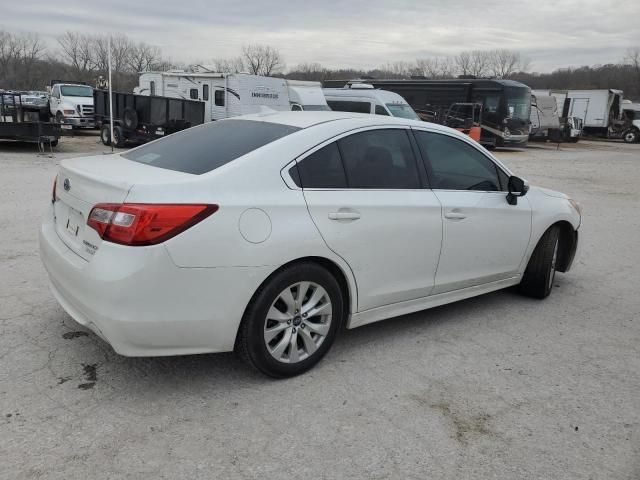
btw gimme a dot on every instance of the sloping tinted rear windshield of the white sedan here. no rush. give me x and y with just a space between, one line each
202 149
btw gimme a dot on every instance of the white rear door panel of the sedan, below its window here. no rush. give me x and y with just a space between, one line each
392 247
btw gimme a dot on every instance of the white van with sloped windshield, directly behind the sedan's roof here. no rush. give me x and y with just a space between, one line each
363 98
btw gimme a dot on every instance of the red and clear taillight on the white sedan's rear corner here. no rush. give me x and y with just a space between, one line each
139 224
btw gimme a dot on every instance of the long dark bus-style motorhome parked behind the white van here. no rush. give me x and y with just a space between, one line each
506 105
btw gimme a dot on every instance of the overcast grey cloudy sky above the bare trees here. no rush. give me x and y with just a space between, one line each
358 33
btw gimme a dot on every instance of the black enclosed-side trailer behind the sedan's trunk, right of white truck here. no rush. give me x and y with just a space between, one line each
142 118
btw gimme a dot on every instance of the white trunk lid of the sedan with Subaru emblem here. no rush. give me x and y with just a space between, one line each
84 182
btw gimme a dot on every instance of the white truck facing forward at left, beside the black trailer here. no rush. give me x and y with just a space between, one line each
72 105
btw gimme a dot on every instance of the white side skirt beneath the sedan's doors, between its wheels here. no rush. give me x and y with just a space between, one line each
403 308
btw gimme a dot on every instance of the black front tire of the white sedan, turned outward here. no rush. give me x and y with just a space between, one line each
537 280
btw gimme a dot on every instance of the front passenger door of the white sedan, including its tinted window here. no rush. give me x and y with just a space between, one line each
484 238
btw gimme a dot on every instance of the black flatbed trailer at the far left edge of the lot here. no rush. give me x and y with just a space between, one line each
24 123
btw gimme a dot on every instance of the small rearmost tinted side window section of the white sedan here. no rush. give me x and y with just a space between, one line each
322 169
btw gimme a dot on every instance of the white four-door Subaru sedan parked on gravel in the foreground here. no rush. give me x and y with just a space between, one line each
265 234
